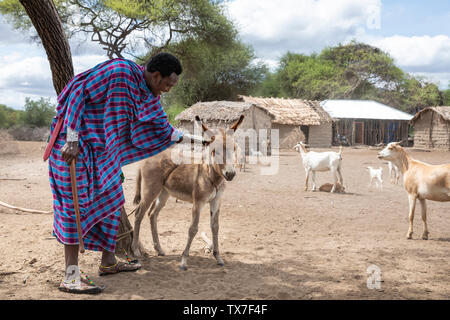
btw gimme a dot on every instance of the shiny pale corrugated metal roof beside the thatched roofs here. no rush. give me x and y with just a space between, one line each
362 109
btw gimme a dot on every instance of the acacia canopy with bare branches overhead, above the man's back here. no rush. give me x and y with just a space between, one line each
123 26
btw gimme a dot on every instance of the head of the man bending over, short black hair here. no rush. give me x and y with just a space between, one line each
162 73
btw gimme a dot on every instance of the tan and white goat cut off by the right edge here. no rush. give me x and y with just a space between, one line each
421 180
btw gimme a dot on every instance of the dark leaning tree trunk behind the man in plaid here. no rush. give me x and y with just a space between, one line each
48 25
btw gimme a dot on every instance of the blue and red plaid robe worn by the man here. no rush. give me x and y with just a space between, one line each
119 122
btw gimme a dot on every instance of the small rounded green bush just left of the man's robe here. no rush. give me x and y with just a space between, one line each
38 113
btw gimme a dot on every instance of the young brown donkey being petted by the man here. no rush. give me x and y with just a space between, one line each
160 177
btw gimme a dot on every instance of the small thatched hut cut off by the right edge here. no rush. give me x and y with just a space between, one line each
432 128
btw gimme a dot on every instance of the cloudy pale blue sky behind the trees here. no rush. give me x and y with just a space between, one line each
416 34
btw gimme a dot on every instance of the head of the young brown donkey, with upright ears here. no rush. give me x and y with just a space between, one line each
222 149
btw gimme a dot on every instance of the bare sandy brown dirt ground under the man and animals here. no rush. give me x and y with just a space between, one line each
278 241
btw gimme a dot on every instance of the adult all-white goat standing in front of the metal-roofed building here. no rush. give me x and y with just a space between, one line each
321 161
